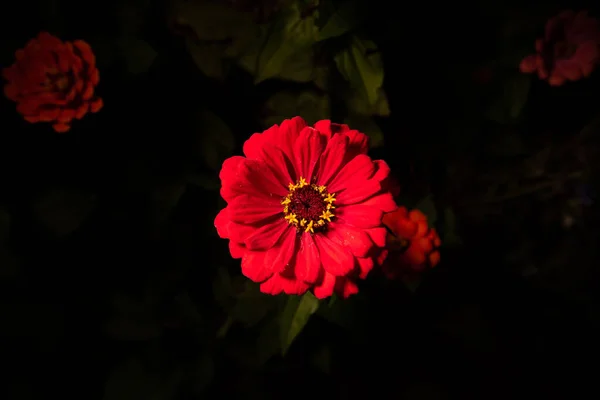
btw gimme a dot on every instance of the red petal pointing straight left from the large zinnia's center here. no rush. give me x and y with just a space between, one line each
248 210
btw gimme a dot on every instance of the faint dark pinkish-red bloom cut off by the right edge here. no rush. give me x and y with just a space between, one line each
569 50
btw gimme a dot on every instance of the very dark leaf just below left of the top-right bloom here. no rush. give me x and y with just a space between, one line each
511 100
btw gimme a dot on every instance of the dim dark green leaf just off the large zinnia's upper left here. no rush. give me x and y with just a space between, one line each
216 140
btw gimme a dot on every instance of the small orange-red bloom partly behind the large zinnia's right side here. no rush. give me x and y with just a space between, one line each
412 246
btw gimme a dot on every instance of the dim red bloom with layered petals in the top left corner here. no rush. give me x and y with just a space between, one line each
53 81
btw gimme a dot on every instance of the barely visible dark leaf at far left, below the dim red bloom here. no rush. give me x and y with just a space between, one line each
61 212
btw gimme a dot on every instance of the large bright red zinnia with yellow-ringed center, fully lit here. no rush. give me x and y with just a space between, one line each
304 208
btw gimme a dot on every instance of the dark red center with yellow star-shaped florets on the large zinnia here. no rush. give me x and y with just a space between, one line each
308 206
